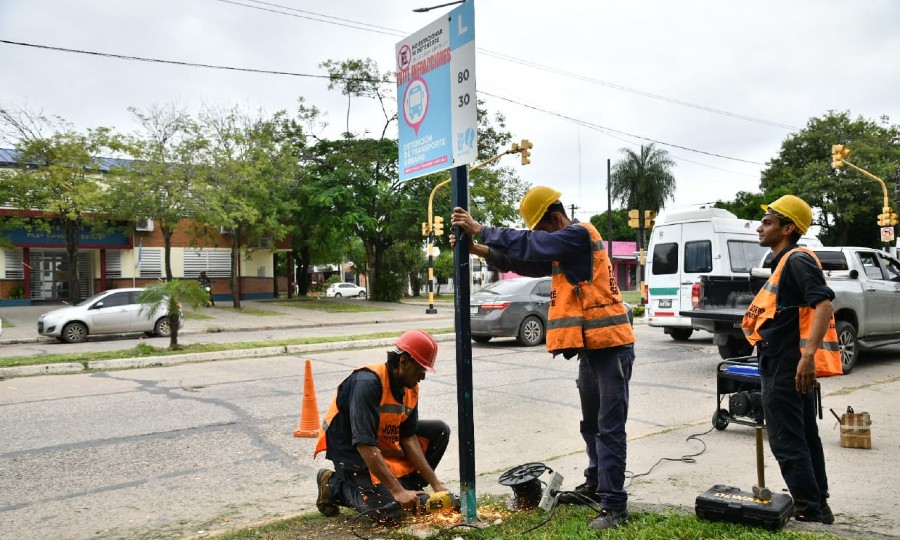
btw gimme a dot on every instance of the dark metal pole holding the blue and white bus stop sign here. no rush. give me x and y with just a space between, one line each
461 290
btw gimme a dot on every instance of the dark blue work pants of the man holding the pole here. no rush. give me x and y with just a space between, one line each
603 377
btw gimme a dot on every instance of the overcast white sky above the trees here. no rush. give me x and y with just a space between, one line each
713 78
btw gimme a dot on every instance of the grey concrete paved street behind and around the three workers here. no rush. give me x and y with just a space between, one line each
170 452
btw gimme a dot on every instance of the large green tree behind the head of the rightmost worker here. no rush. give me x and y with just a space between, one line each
846 203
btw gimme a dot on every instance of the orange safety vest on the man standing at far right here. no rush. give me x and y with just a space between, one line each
765 307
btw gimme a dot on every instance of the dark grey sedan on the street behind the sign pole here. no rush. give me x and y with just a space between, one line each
514 307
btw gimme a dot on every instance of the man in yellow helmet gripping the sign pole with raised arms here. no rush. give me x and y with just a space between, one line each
587 318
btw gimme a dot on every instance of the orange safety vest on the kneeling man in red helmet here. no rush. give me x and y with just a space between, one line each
390 415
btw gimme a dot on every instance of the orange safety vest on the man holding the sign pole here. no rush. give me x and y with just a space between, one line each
590 314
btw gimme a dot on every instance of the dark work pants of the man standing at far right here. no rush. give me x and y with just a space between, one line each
794 434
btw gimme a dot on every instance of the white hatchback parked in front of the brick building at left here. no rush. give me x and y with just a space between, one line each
116 311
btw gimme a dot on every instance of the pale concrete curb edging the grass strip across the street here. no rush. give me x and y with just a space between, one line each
175 359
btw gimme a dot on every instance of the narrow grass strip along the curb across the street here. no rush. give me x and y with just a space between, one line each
145 349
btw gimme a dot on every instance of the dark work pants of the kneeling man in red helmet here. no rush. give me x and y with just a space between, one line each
354 487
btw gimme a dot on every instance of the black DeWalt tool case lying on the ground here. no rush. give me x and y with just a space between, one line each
727 503
